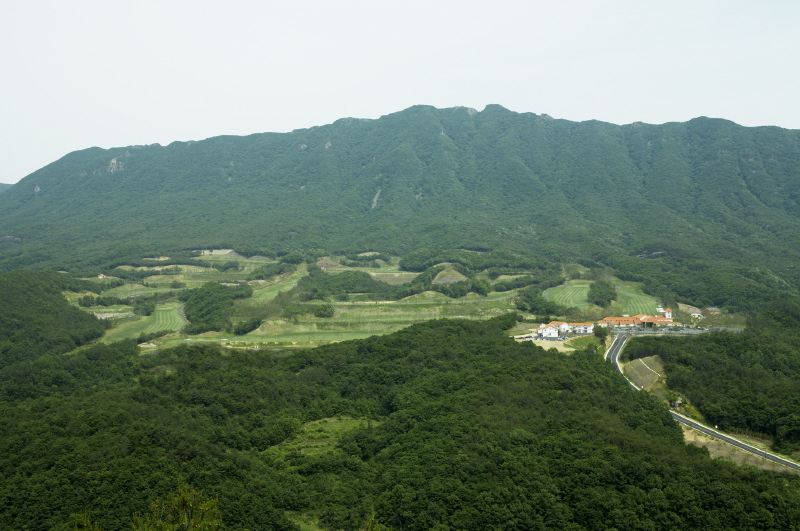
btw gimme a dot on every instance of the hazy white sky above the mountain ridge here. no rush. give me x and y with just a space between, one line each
113 73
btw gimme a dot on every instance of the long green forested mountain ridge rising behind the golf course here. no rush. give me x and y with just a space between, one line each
449 177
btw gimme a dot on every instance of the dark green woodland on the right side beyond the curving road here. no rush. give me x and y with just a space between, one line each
745 381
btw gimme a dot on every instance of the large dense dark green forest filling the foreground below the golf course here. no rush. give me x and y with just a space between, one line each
474 432
